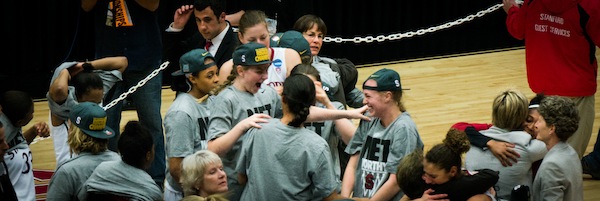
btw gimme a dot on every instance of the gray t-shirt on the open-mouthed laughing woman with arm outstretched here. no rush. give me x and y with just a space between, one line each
230 107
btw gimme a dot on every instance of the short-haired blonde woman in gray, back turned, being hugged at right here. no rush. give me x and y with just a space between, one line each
509 110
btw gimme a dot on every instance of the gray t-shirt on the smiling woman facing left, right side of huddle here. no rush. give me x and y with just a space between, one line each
381 150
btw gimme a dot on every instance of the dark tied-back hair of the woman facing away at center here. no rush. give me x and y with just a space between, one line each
298 94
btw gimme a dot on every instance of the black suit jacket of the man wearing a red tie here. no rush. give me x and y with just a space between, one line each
176 44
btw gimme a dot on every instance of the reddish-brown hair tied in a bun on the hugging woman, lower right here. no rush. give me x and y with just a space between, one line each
448 154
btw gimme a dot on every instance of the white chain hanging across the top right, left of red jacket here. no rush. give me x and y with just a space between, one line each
381 38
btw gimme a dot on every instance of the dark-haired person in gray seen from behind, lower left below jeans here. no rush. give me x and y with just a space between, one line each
125 178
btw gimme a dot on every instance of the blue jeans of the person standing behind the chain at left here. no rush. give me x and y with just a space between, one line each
147 100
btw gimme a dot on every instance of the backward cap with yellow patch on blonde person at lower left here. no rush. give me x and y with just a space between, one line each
91 119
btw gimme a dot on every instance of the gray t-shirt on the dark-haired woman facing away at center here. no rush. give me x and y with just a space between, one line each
285 163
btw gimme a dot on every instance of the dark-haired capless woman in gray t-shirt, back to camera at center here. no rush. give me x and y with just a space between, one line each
272 153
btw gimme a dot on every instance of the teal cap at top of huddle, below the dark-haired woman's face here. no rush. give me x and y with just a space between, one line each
291 39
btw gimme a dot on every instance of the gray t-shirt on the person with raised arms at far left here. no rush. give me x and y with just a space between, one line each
109 78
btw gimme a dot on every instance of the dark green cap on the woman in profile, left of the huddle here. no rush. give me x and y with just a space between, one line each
193 61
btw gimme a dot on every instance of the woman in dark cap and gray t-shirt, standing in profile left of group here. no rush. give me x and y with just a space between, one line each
186 121
